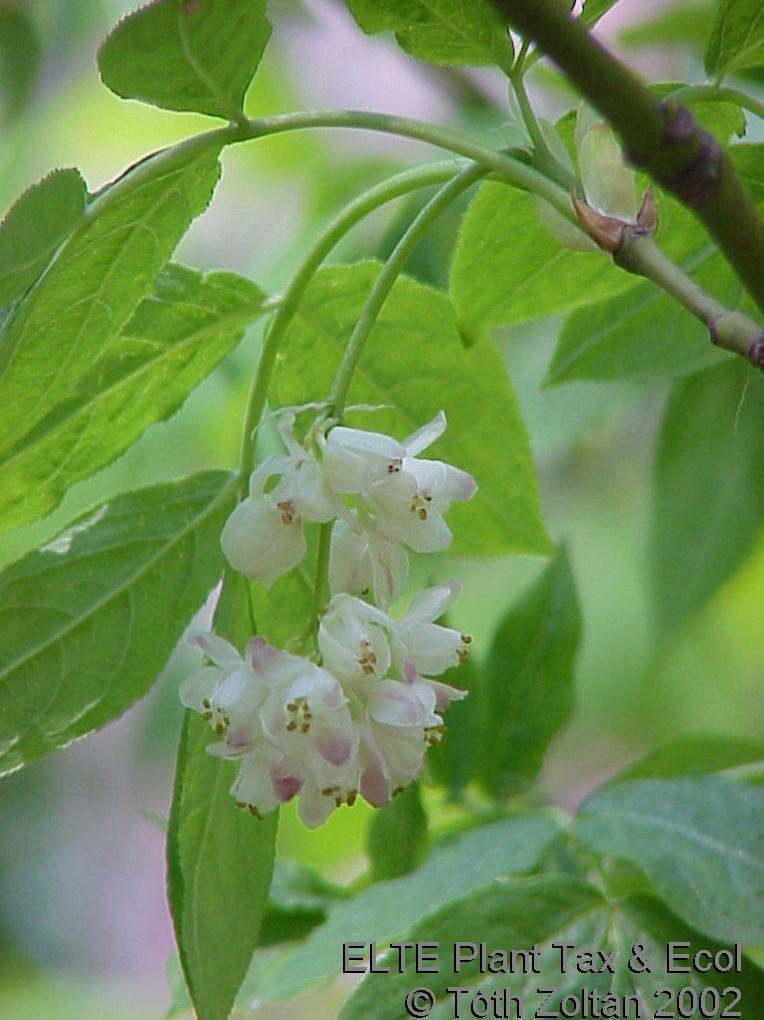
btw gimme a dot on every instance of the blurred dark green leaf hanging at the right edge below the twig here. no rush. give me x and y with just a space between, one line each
708 503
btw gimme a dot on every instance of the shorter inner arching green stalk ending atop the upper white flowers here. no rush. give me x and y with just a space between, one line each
391 272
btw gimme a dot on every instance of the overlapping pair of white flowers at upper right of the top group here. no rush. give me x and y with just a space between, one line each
410 496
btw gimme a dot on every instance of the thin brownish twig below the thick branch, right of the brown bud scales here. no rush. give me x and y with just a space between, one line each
732 331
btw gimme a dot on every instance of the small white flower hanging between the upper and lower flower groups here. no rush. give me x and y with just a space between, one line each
365 562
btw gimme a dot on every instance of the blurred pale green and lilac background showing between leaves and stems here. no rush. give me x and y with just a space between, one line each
85 933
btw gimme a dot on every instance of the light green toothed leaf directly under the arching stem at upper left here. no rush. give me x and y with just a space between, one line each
92 288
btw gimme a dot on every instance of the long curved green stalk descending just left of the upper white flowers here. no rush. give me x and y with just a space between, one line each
401 184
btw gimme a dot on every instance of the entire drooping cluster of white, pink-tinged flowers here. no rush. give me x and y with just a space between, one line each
359 721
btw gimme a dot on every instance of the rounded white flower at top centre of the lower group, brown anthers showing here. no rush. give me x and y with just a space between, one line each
354 641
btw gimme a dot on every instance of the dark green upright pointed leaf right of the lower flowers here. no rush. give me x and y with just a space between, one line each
530 681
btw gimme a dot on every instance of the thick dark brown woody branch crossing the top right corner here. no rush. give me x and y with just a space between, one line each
663 138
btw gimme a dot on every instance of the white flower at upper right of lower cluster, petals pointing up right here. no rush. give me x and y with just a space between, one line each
421 643
